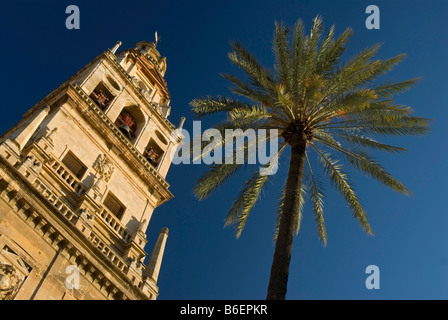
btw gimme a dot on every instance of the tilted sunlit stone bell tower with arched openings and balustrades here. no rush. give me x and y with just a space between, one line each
80 177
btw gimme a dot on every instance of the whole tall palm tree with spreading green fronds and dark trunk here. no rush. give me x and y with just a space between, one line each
319 104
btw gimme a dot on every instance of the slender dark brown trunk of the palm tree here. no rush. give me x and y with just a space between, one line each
282 255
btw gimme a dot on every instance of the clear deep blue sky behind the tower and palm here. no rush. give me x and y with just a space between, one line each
204 260
